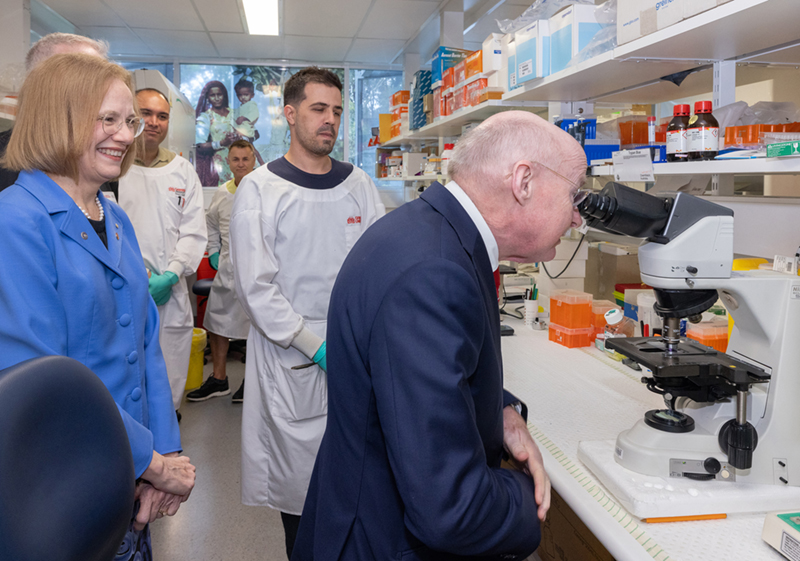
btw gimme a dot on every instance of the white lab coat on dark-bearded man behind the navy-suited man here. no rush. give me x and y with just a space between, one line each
287 246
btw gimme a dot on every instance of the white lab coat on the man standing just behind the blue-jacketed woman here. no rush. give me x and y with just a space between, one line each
165 206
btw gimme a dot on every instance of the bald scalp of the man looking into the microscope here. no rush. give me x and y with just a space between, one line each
488 152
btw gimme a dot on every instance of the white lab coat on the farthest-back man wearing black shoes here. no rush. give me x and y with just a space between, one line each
224 315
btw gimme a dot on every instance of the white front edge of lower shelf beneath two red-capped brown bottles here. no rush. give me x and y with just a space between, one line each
756 166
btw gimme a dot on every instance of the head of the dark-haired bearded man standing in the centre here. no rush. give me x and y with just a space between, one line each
312 100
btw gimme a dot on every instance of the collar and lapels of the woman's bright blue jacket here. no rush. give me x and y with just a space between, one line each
69 219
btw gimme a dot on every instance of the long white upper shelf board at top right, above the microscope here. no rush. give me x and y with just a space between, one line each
734 30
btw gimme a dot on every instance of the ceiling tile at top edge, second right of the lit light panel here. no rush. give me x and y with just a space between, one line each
396 19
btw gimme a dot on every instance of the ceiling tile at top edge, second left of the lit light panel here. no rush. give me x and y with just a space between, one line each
157 14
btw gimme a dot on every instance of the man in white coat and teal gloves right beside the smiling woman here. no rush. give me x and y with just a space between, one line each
164 200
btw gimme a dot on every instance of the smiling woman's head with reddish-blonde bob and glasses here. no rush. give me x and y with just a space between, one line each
76 118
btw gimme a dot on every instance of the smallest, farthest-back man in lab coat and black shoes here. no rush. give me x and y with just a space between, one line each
224 319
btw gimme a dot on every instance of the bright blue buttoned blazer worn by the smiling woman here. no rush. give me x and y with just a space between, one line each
63 293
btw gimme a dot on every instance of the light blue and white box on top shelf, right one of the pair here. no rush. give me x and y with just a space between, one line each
570 31
